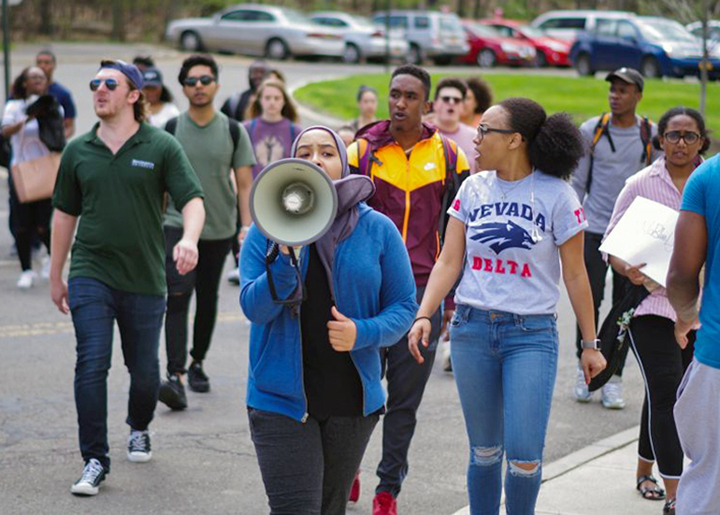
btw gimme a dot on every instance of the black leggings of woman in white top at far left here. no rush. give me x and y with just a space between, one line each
29 221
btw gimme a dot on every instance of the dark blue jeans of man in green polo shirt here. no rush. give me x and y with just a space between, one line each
95 307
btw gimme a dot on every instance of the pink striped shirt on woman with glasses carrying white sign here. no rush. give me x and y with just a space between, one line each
653 183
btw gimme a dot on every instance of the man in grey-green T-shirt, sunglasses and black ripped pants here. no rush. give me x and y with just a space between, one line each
215 146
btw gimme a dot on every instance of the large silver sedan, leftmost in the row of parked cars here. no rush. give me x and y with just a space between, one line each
275 32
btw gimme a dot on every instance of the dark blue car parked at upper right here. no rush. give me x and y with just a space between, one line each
657 47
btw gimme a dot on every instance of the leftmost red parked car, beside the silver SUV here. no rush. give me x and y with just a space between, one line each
489 48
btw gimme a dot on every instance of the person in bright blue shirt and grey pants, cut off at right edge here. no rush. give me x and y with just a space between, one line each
697 411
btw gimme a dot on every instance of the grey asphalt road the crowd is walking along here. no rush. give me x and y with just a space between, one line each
203 458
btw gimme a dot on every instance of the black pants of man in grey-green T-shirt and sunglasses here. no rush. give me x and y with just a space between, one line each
205 280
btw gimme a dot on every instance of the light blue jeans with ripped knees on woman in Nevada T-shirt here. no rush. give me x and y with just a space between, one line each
505 366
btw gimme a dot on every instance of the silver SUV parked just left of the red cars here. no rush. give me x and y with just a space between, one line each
433 34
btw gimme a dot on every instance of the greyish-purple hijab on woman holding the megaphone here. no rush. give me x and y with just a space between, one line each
351 190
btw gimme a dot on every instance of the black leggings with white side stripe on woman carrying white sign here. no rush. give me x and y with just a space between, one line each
662 363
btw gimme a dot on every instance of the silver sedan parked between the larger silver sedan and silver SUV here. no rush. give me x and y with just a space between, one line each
363 38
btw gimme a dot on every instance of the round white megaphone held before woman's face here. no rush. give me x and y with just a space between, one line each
293 202
